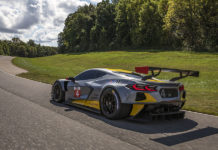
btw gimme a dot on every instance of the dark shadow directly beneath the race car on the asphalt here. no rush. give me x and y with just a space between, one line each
146 127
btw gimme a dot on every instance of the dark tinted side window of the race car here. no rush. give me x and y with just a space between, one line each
91 74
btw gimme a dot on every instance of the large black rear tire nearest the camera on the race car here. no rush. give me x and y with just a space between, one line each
111 106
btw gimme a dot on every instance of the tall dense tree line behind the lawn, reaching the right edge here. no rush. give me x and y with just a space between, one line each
190 24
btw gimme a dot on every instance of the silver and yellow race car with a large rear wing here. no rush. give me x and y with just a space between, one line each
118 93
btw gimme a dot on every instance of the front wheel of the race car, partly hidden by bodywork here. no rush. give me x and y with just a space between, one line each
58 95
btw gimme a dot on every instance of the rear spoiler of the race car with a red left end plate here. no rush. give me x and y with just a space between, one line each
182 73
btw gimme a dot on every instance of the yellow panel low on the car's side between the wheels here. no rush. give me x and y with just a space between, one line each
88 103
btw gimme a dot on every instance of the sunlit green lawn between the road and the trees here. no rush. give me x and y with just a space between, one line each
202 92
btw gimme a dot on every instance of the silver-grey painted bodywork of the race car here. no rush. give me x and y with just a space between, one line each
91 89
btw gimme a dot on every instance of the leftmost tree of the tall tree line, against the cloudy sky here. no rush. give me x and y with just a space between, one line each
76 34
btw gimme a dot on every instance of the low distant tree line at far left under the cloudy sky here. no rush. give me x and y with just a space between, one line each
16 47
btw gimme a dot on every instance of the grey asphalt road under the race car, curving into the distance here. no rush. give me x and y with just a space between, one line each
29 120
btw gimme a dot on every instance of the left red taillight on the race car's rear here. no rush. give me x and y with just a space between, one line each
139 87
